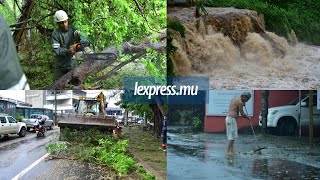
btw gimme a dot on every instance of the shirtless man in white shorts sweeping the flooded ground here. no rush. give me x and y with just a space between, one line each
236 107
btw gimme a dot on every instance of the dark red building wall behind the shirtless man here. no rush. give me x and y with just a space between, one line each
276 98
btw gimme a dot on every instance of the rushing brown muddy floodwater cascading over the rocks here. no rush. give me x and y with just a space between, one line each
254 64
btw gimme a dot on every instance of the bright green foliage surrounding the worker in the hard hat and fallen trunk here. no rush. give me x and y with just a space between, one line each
105 23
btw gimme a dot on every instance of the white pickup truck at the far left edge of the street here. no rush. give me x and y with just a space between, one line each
8 125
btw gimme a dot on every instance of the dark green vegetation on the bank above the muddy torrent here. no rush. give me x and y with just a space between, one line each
283 16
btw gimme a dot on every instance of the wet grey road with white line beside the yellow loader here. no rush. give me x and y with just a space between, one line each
19 157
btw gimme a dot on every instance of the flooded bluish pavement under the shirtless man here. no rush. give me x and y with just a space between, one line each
202 156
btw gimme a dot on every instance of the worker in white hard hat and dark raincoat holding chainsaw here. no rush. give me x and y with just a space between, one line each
65 41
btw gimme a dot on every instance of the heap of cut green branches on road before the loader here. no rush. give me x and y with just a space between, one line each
99 148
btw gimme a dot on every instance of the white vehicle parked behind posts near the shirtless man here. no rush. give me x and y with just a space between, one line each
285 119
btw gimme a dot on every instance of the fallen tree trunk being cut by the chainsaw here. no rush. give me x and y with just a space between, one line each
77 76
